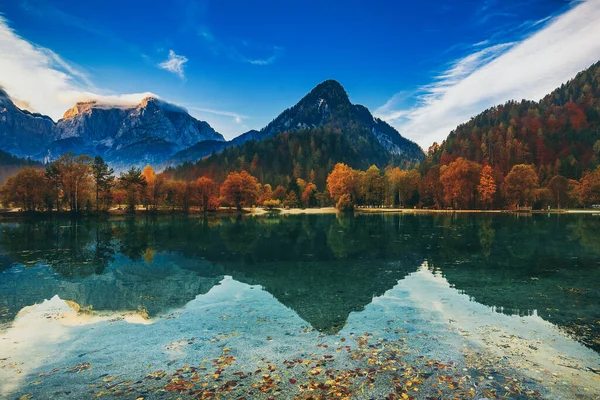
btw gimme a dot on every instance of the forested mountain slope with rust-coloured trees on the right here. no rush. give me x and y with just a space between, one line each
560 134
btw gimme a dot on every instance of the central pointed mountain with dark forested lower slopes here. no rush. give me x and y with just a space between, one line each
306 141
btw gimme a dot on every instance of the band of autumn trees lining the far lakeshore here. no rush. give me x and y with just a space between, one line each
81 184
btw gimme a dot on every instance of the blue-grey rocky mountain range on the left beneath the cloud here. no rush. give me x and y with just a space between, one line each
149 132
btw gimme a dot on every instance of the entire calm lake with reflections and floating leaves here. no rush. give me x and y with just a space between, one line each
374 306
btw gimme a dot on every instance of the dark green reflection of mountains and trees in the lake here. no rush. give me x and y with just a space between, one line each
322 267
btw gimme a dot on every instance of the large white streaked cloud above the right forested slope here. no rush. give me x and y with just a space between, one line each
528 69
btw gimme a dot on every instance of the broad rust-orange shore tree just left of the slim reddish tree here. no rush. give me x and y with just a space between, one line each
460 179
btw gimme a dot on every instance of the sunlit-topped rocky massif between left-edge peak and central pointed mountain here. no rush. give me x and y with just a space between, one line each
150 132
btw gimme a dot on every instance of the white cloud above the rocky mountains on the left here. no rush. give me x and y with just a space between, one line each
41 81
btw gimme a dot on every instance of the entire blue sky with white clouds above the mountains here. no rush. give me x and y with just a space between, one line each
423 66
